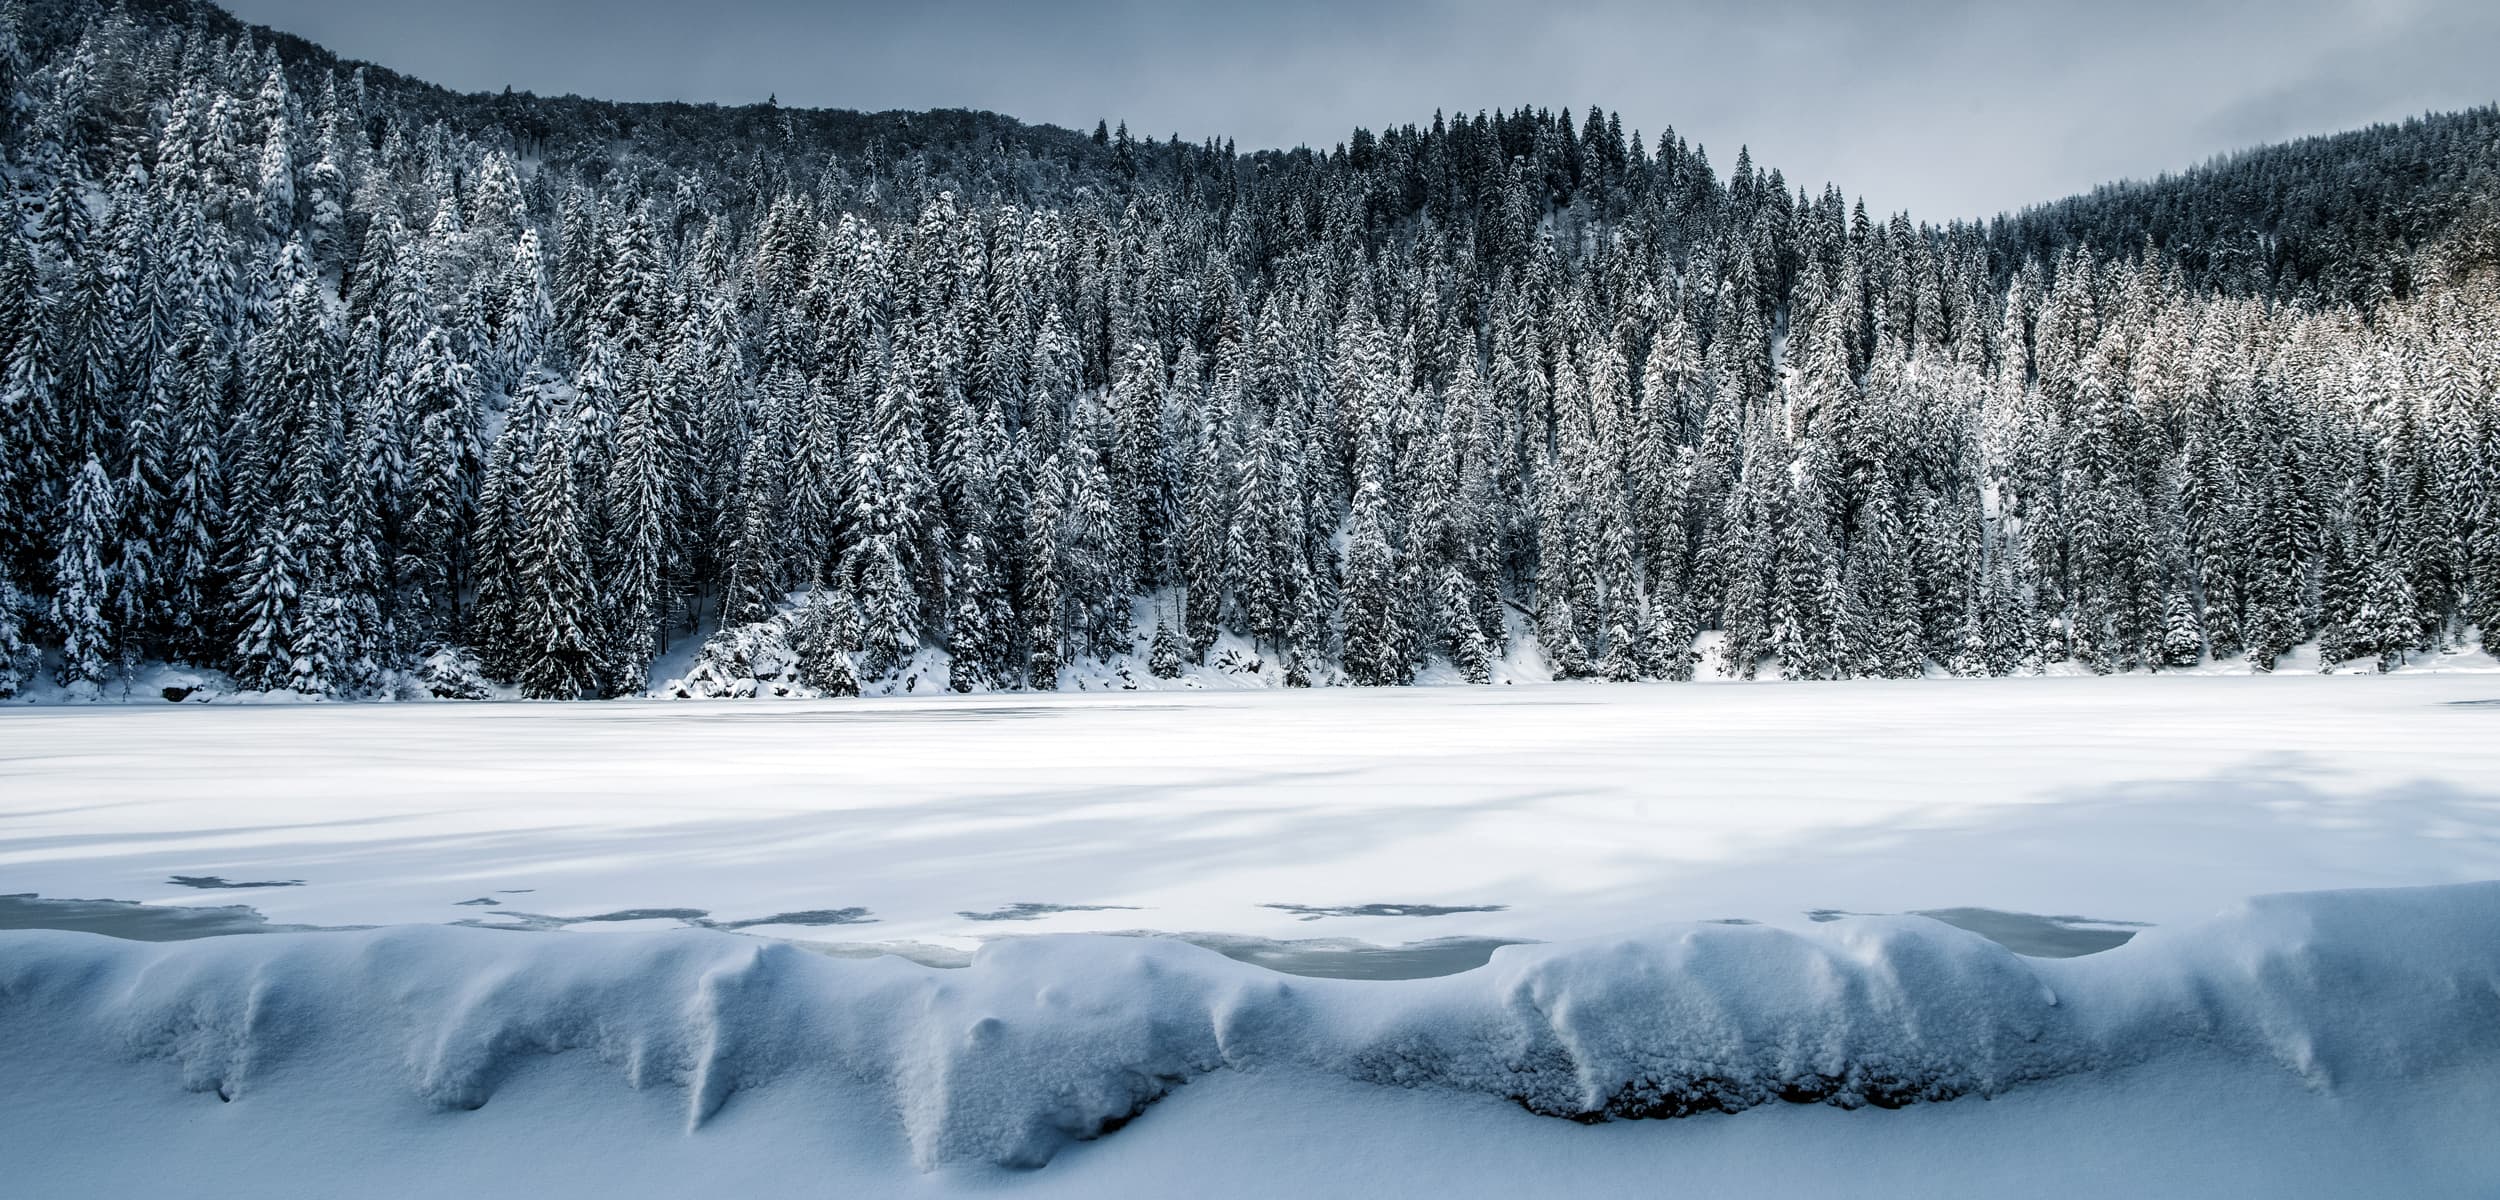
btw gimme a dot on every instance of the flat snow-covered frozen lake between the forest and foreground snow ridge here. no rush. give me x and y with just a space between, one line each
1274 821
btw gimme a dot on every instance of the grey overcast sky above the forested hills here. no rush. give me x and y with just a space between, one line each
1936 106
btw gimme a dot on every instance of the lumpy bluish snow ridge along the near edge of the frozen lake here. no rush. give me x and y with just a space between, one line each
1064 1039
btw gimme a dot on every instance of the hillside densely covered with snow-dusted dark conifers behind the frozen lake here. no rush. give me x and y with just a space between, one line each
341 384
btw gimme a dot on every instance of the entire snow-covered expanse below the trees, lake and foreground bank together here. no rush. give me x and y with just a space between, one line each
2344 1041
